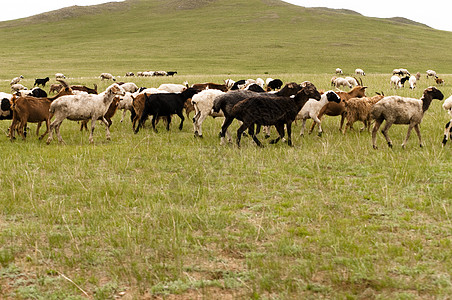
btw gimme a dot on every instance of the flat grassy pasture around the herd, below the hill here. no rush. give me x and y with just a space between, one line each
166 215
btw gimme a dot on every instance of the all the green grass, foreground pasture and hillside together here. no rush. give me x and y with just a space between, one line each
169 216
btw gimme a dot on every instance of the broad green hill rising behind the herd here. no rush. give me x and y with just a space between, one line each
215 37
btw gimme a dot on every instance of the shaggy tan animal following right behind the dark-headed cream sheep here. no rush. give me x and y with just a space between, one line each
358 109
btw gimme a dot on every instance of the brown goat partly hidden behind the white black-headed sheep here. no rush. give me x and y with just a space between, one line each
338 109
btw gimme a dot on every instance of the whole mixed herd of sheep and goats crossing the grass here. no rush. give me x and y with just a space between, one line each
257 104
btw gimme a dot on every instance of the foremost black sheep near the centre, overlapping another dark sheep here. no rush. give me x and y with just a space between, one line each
277 111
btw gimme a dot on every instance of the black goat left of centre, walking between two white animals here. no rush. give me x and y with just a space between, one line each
165 105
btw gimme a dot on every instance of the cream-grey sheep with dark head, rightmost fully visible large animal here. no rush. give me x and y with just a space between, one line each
402 110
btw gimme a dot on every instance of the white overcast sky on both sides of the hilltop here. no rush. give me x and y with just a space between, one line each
435 14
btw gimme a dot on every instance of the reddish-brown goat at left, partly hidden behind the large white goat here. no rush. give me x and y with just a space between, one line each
34 110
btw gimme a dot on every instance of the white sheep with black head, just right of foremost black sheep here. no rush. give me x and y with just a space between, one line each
312 108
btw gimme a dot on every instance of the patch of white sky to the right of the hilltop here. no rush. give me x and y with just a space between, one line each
436 14
